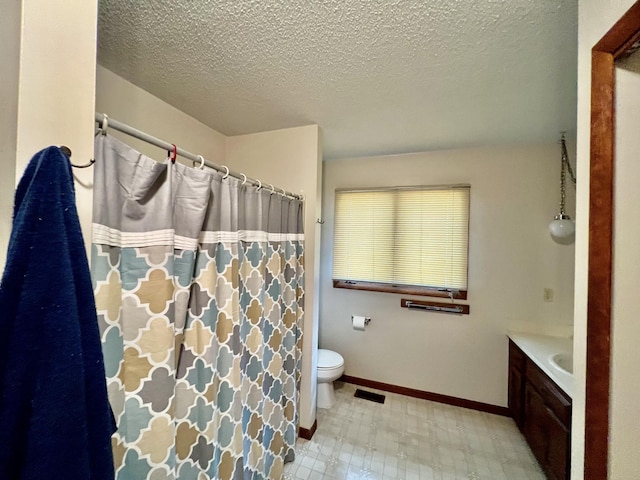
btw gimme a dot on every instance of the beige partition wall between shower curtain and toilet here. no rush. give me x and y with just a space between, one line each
292 158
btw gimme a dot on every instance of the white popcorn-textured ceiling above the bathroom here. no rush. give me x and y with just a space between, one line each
379 77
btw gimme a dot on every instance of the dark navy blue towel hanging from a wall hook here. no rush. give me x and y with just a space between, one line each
55 419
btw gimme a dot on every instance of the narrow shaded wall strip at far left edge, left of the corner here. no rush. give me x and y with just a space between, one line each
10 22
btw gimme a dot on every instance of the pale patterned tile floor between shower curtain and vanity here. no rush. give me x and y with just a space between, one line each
407 438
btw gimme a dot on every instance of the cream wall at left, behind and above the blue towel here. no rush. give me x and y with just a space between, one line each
48 81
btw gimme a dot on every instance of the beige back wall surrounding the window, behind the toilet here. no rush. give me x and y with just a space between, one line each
514 196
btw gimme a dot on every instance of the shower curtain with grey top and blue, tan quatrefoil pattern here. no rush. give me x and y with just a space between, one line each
199 291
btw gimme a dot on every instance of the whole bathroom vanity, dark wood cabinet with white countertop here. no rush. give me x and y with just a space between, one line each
540 386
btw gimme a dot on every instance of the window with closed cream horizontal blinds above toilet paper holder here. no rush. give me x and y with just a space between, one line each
411 240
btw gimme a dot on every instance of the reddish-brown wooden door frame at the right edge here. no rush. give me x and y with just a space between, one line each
611 46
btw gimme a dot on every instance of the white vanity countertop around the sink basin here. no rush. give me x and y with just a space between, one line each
540 348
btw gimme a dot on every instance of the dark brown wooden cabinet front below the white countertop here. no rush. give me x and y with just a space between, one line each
543 413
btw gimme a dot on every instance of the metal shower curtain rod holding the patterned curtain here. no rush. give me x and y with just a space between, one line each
134 132
